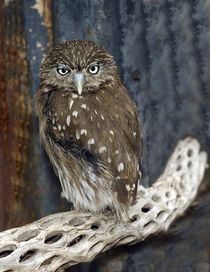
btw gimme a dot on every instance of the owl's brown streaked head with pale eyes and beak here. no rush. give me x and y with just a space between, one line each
78 66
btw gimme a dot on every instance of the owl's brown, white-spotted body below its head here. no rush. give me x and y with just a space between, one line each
105 141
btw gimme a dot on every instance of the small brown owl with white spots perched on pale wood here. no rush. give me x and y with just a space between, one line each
90 127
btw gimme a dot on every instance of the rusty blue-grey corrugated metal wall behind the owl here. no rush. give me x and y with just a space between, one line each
161 49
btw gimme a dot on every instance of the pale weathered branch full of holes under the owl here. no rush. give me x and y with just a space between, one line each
64 239
